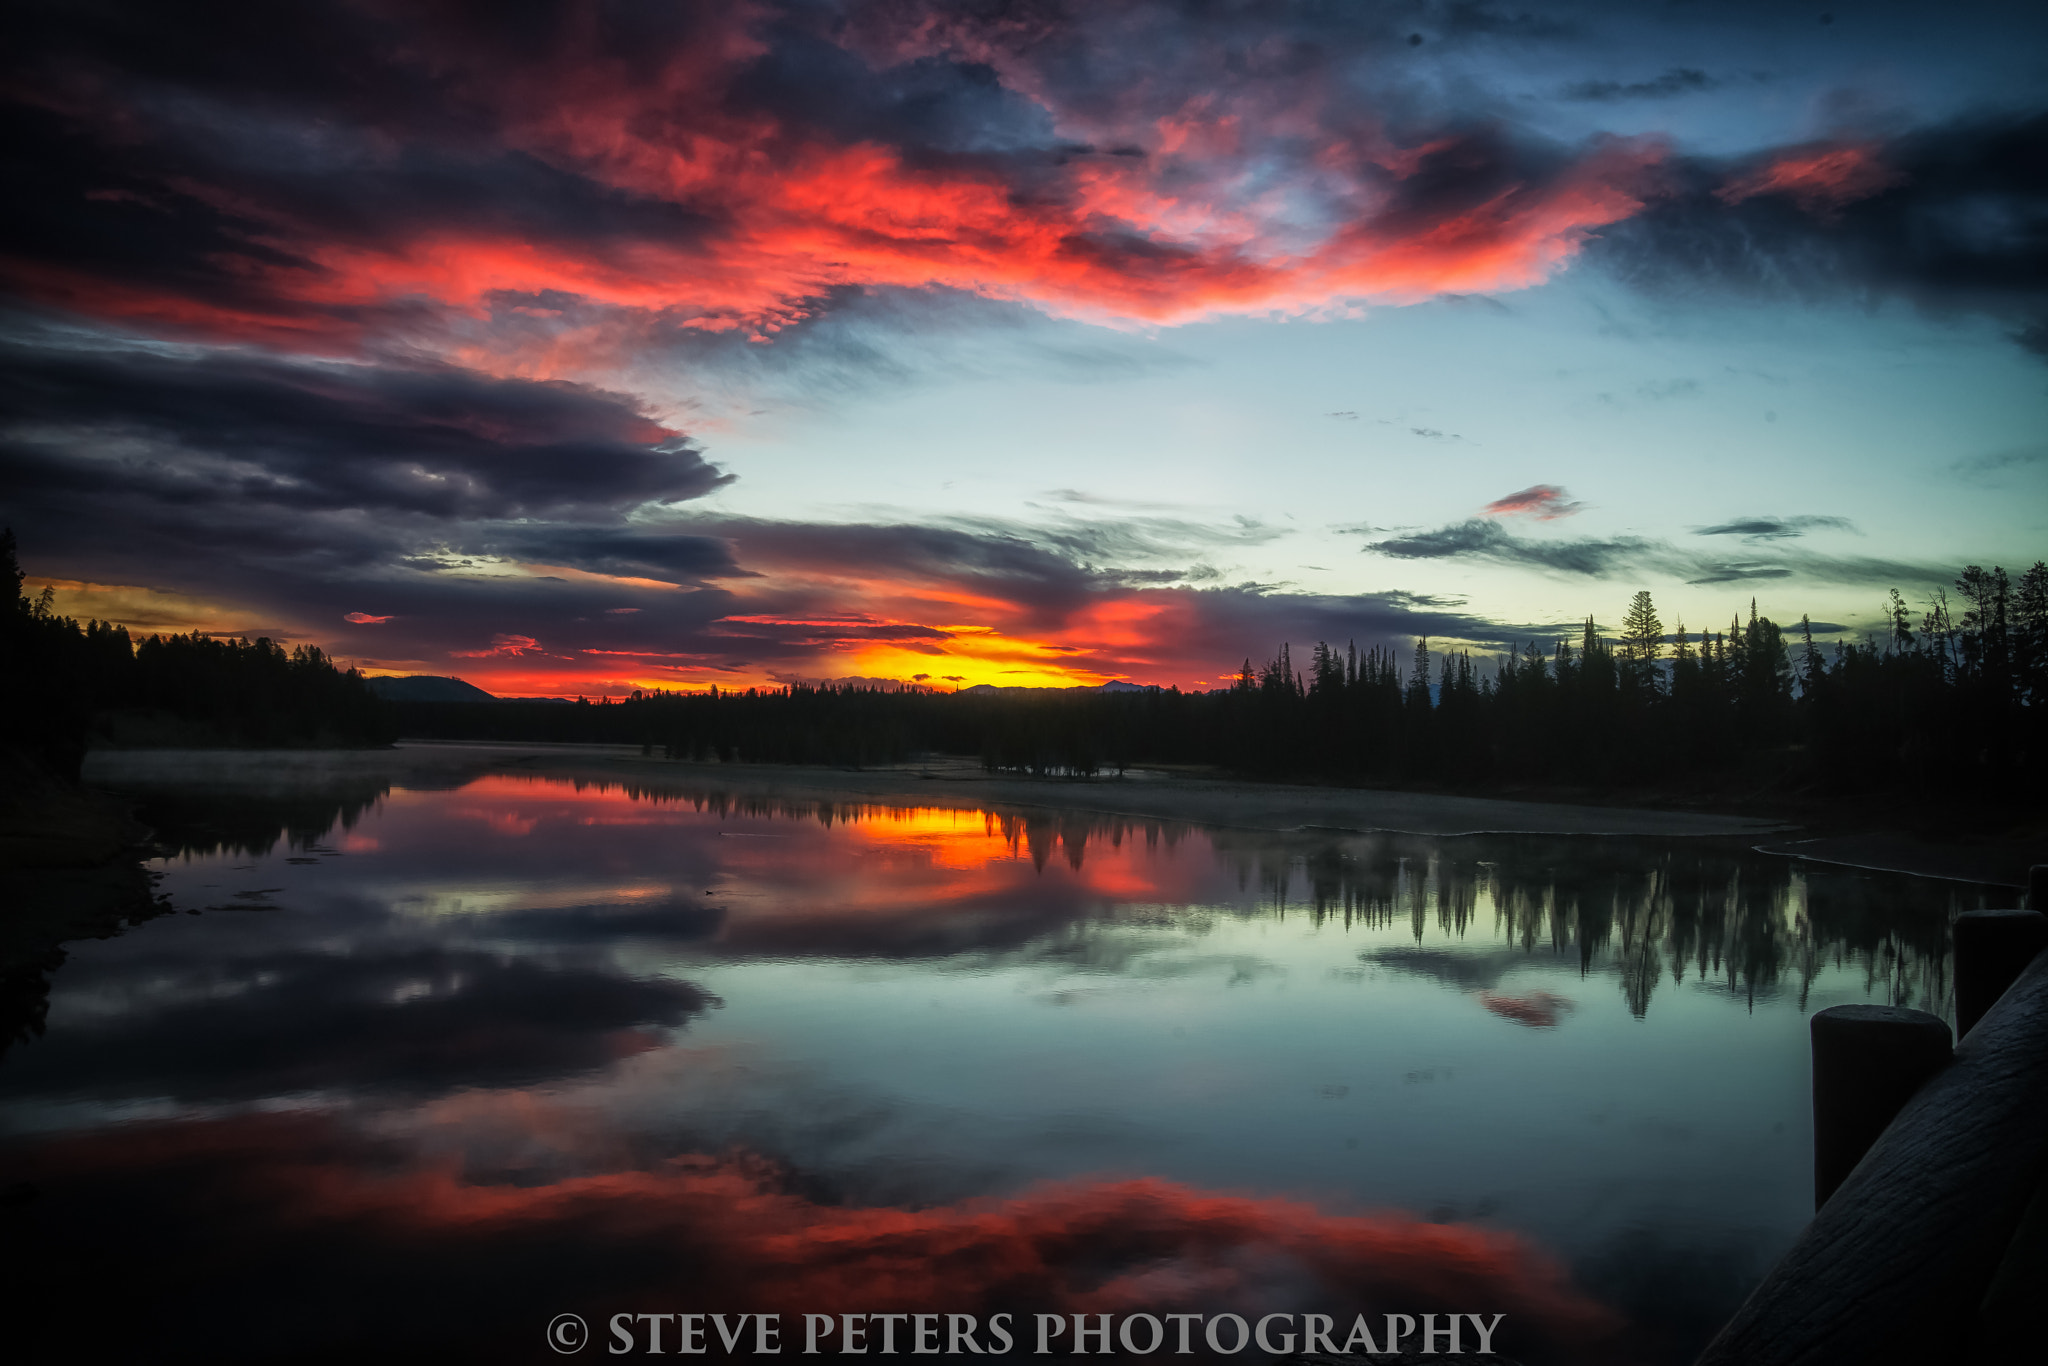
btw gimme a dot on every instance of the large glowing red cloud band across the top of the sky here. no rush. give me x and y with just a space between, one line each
1244 198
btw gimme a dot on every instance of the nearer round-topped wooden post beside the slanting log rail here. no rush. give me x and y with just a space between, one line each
1867 1064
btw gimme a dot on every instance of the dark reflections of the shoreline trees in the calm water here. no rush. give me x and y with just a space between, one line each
1627 908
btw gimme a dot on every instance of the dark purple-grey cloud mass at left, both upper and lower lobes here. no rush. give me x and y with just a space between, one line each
316 490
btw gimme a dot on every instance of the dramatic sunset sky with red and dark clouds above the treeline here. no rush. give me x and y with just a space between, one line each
591 347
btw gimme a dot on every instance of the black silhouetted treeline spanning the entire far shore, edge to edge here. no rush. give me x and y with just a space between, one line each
1947 697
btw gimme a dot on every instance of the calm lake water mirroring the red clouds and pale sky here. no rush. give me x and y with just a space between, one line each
423 1068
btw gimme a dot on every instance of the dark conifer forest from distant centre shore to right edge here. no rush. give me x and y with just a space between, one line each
1949 699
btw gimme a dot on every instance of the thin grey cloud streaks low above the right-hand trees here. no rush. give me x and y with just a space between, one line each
1592 558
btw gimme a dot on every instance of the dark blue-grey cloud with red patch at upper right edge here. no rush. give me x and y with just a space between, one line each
1951 218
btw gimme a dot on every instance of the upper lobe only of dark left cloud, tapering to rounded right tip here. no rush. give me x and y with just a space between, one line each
304 437
